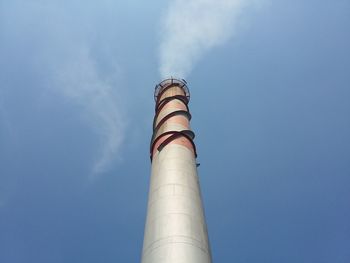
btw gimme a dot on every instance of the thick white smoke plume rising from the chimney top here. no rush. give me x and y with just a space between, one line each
192 27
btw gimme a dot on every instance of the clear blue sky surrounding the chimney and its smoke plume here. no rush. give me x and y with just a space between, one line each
76 108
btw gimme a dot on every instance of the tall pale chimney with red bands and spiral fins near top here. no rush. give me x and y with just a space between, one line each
175 230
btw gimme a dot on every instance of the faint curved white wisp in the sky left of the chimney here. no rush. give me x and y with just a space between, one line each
79 80
